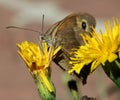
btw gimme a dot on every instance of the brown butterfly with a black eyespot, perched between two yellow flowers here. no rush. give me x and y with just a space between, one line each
67 33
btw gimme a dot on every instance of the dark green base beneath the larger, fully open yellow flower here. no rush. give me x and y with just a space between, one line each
113 71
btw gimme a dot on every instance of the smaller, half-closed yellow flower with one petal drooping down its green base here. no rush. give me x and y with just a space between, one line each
38 59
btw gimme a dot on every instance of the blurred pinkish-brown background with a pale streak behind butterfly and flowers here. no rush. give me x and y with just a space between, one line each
16 83
